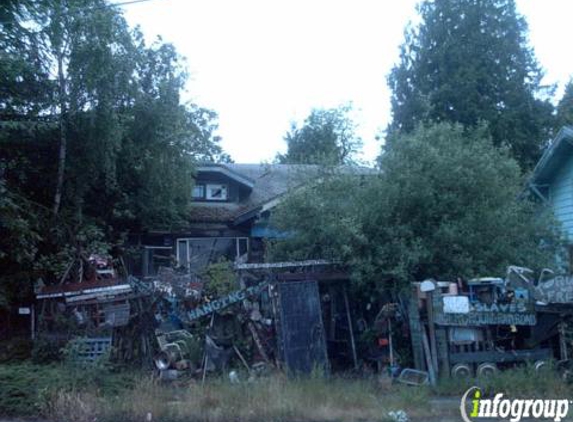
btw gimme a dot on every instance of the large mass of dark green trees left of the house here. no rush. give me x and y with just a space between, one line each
74 71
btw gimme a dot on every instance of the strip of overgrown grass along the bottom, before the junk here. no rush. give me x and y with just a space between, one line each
61 393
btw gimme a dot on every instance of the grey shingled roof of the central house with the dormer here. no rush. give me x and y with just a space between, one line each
269 183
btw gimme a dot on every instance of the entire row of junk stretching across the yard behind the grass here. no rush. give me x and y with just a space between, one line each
297 317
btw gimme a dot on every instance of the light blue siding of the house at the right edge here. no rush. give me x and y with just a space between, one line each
561 197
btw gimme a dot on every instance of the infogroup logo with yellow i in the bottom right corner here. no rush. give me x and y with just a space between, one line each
510 409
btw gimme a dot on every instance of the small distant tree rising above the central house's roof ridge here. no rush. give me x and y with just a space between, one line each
326 137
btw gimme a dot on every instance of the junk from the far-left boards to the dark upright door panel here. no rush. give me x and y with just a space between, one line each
290 316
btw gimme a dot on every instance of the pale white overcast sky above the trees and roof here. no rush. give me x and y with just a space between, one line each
262 64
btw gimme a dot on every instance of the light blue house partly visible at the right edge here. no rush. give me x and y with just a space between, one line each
552 182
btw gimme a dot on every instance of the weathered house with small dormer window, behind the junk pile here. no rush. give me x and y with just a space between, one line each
229 216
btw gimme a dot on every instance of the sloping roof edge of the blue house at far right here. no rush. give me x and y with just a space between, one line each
558 152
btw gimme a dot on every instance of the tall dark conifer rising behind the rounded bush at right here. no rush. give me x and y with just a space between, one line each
469 61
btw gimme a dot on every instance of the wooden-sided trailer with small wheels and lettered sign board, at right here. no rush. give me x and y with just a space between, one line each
462 329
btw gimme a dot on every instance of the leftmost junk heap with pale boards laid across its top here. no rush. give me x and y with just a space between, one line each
93 303
